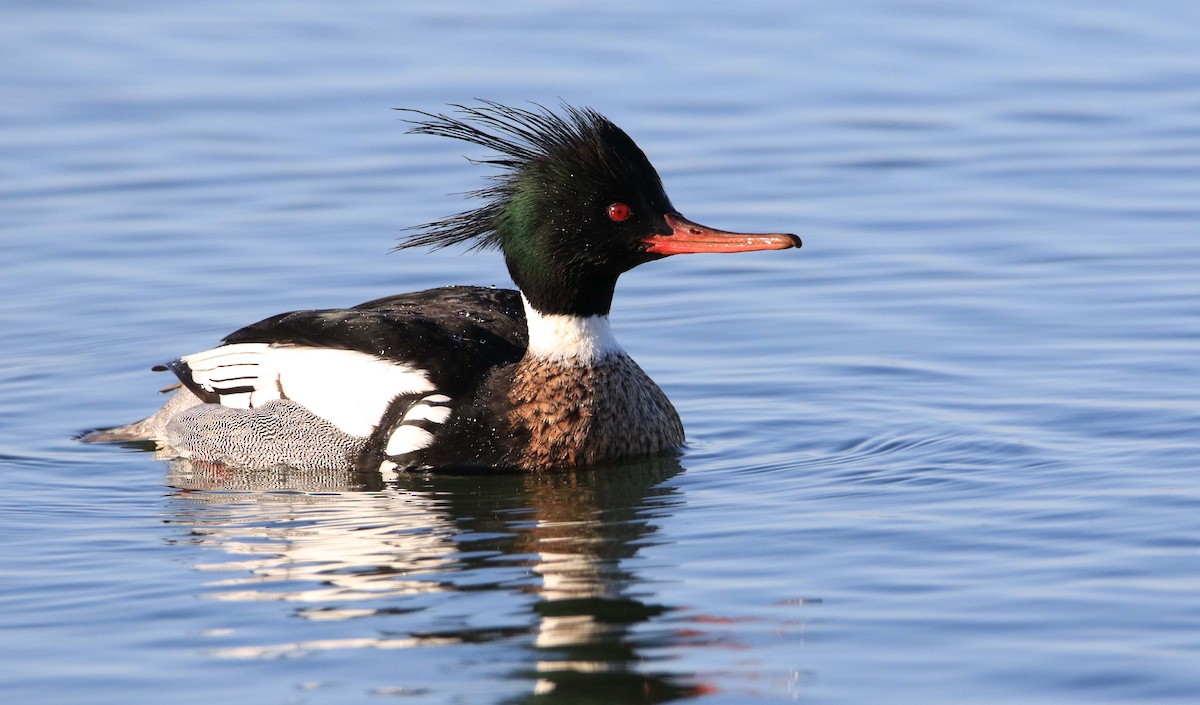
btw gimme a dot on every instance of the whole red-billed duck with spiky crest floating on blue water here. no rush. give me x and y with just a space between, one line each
470 378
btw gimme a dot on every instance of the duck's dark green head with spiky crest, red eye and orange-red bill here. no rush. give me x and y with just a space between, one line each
575 206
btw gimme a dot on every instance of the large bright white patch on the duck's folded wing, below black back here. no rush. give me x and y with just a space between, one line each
350 389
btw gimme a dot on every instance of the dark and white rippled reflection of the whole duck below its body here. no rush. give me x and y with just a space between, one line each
410 553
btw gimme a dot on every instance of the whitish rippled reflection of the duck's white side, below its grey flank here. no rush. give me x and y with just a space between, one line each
321 550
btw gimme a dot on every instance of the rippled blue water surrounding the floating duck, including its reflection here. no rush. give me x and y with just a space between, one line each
946 454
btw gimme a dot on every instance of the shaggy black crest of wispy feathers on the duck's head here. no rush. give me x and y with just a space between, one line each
579 143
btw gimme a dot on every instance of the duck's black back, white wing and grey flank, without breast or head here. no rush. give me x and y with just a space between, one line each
358 387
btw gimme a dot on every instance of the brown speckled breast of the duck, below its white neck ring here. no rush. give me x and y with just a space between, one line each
577 415
